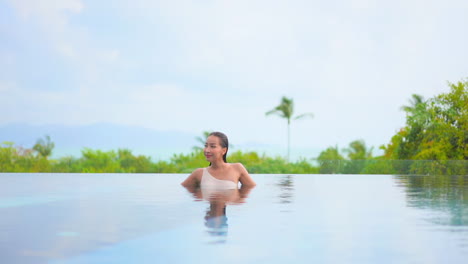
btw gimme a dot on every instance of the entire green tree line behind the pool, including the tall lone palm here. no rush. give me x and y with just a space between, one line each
434 140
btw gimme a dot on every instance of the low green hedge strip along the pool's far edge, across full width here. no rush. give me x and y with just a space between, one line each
18 159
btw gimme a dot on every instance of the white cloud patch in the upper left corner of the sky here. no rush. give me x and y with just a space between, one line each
71 44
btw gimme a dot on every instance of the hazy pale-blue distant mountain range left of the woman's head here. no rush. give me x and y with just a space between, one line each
70 140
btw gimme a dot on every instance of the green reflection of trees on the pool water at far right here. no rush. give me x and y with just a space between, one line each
444 197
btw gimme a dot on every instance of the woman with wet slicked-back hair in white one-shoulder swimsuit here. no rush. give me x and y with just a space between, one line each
220 174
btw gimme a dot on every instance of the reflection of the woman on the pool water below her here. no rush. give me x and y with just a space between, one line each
218 200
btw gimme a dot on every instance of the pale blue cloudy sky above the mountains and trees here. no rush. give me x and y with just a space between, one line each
207 65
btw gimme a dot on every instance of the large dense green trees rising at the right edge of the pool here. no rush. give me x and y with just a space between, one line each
436 131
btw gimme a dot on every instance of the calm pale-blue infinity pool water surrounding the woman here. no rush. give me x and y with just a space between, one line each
150 218
